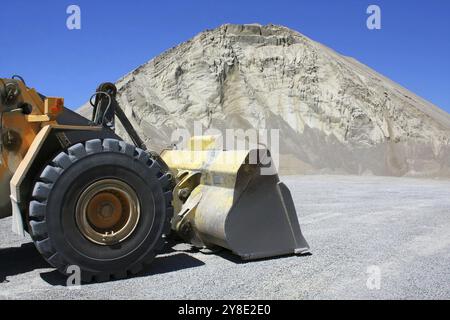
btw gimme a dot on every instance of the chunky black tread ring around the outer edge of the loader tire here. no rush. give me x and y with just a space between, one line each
49 176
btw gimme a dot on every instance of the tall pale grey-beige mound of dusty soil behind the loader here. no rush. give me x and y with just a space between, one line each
334 114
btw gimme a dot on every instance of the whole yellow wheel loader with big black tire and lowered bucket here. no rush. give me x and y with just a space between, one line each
88 198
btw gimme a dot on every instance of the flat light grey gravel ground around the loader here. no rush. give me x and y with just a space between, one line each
397 226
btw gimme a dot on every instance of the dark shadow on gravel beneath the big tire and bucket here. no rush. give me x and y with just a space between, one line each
161 265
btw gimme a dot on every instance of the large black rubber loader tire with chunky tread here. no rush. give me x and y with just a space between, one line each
54 210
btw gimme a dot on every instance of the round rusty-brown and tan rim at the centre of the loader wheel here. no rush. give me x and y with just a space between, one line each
107 212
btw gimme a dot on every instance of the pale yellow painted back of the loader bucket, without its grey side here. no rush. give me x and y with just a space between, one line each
202 169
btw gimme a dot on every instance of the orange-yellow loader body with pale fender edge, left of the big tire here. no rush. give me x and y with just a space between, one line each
24 142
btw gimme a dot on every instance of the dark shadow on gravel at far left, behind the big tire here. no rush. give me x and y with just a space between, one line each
15 261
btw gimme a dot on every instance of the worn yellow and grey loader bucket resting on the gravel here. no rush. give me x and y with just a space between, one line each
234 200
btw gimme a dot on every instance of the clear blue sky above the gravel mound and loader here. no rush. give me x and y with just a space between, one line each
412 48
